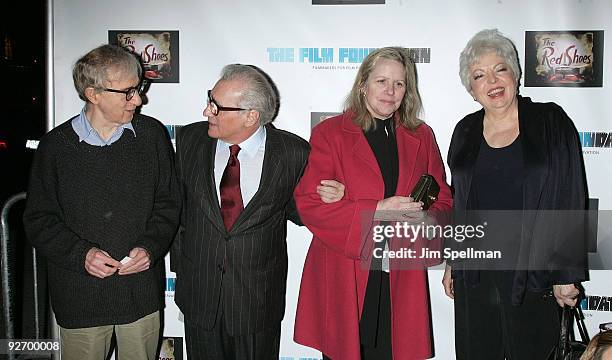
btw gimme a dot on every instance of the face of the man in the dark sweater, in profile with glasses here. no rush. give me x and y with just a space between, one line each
111 109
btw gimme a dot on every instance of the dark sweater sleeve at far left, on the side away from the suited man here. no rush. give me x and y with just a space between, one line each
43 219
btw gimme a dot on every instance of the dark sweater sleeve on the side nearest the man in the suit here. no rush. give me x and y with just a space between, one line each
163 220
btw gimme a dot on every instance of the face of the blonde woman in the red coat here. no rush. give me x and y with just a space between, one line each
385 88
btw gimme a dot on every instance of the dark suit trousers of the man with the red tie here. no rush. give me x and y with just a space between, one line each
217 344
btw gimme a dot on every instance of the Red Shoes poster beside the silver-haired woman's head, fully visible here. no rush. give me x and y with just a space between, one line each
564 58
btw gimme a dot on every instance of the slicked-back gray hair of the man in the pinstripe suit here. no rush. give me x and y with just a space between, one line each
259 92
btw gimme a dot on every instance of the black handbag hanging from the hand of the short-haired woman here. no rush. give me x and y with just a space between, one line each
568 348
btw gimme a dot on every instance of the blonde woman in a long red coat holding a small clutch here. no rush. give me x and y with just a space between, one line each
378 149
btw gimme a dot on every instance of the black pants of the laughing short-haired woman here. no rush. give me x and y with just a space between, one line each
488 327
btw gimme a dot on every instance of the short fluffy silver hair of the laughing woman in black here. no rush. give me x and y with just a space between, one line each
486 41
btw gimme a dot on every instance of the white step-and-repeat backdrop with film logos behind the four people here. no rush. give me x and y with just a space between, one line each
312 51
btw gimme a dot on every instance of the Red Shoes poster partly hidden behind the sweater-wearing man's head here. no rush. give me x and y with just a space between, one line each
158 50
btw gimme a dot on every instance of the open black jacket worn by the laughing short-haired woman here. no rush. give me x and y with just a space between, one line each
554 180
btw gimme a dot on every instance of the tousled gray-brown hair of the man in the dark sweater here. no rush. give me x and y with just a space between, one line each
97 66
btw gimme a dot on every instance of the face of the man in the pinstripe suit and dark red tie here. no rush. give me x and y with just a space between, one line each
230 126
